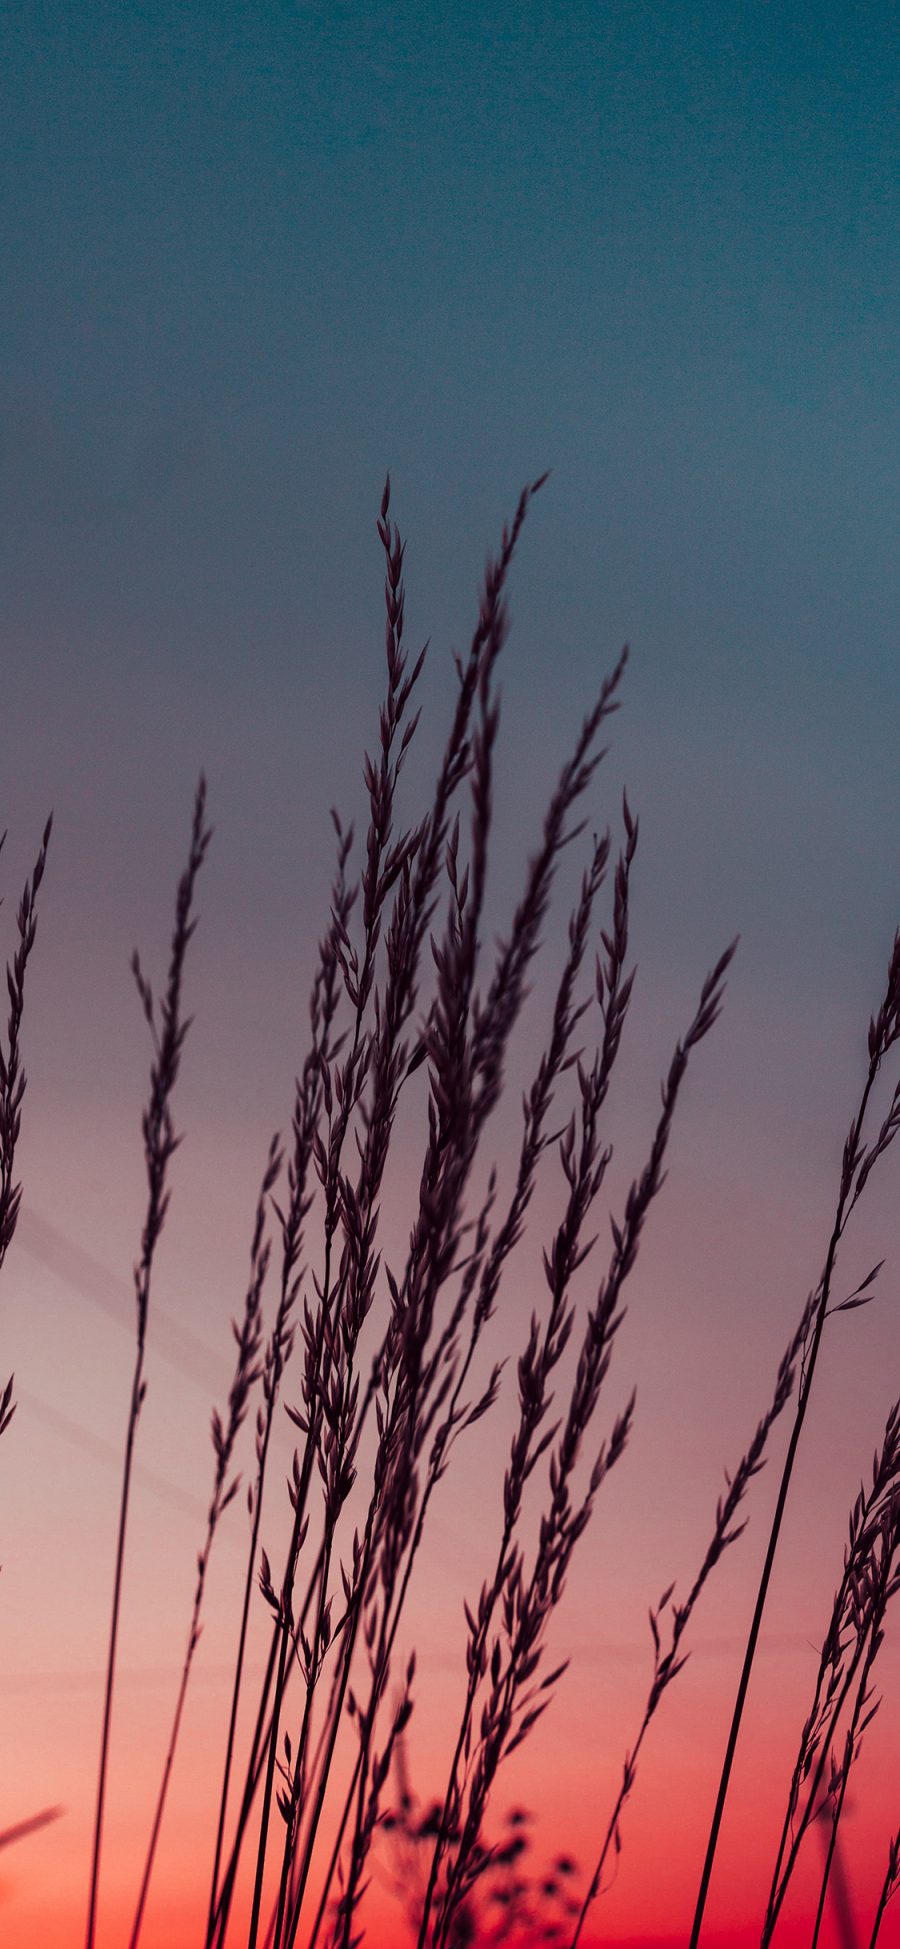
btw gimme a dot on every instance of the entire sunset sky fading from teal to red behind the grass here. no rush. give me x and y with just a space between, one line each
258 256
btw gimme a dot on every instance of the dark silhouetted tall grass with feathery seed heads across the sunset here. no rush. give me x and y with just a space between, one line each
381 1367
